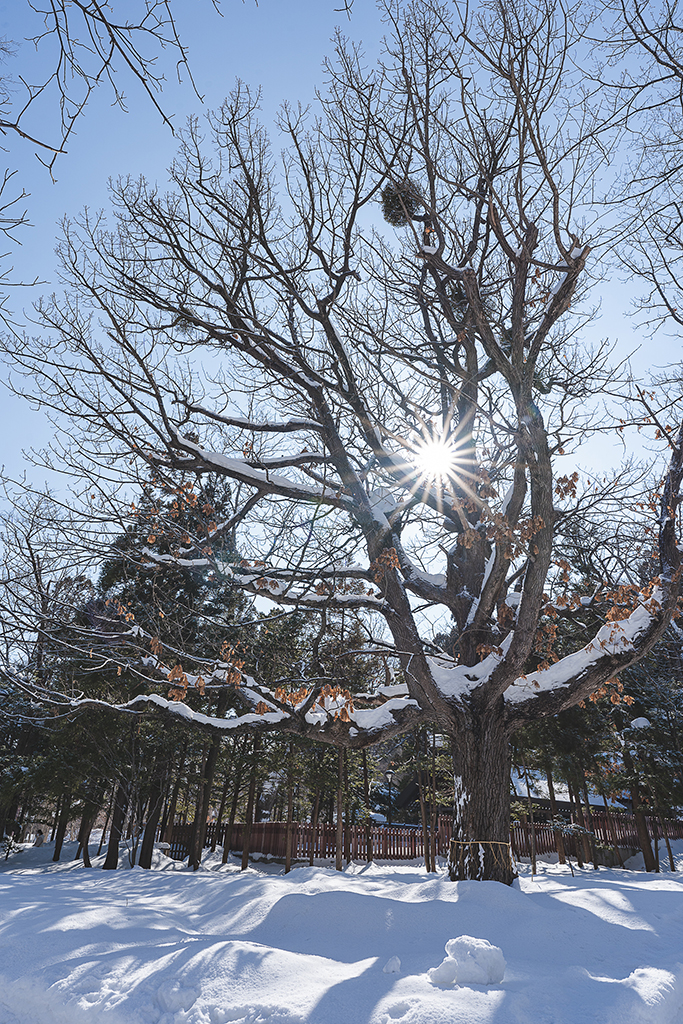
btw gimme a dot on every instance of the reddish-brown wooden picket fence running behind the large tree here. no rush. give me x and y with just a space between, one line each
407 842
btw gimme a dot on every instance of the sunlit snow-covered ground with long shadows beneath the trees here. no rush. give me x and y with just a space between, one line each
317 947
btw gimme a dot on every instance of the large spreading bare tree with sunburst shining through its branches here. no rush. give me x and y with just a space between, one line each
390 406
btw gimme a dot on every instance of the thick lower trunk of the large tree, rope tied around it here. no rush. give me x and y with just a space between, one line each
481 845
